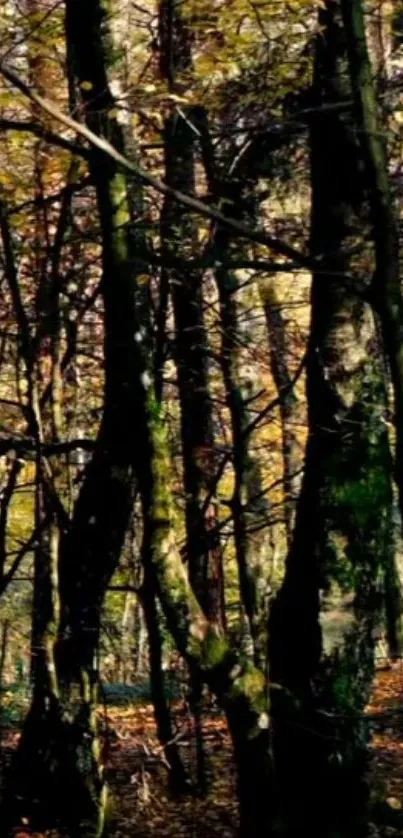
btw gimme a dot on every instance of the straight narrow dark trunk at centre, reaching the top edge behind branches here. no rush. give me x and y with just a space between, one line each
179 238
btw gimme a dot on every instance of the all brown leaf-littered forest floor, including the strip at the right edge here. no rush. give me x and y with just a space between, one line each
142 807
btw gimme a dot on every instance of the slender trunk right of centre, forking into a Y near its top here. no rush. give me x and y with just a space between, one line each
250 505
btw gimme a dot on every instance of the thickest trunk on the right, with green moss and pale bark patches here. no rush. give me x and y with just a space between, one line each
343 535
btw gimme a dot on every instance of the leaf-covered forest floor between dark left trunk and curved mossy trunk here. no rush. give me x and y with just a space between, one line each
138 780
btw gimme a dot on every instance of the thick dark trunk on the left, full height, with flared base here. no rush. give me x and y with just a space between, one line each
64 745
